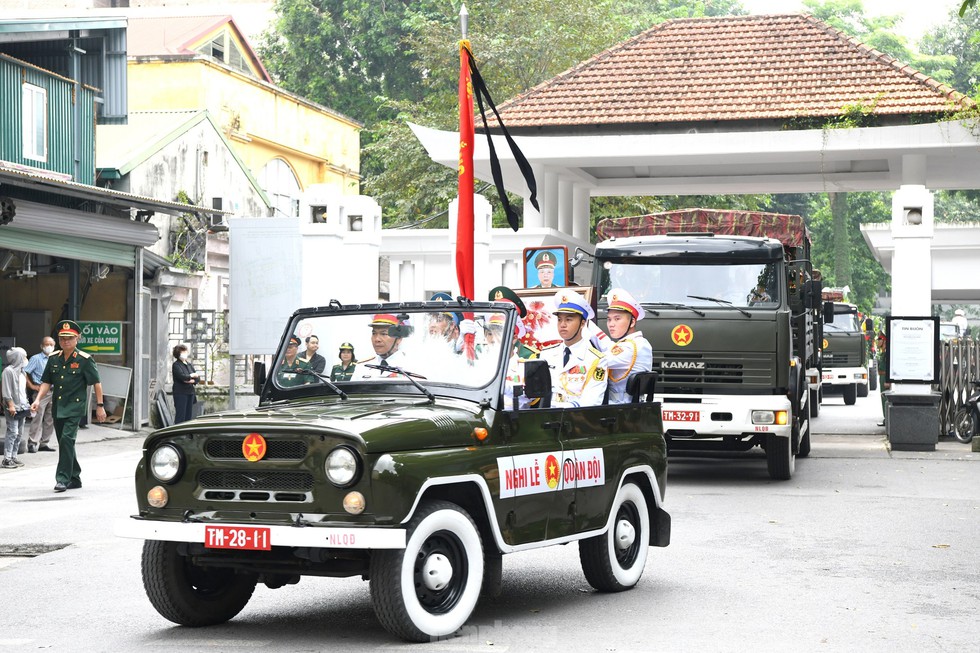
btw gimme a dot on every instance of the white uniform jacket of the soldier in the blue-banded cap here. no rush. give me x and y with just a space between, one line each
581 381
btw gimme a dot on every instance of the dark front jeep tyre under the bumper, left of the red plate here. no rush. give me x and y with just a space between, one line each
190 595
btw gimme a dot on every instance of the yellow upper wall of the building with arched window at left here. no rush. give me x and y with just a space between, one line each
261 121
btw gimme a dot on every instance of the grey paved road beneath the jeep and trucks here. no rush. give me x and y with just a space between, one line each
863 550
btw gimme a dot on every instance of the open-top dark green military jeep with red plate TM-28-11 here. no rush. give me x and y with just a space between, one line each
416 474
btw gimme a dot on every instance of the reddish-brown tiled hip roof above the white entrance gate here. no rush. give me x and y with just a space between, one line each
689 72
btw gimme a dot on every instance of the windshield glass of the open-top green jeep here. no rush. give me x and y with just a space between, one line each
425 343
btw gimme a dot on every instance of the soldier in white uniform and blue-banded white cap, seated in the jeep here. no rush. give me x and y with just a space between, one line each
578 370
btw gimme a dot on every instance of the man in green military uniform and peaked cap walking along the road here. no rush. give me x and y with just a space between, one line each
68 374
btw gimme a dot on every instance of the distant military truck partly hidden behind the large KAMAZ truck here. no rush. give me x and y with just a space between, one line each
845 349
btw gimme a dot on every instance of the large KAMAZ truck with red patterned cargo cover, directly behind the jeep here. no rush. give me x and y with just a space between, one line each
731 310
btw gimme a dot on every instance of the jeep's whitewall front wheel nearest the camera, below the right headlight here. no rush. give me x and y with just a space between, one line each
429 588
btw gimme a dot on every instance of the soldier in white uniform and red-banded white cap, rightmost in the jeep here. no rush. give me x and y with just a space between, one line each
627 351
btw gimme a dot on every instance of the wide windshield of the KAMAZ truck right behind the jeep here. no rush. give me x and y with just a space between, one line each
738 285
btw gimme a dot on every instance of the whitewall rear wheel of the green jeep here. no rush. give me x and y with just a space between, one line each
614 561
